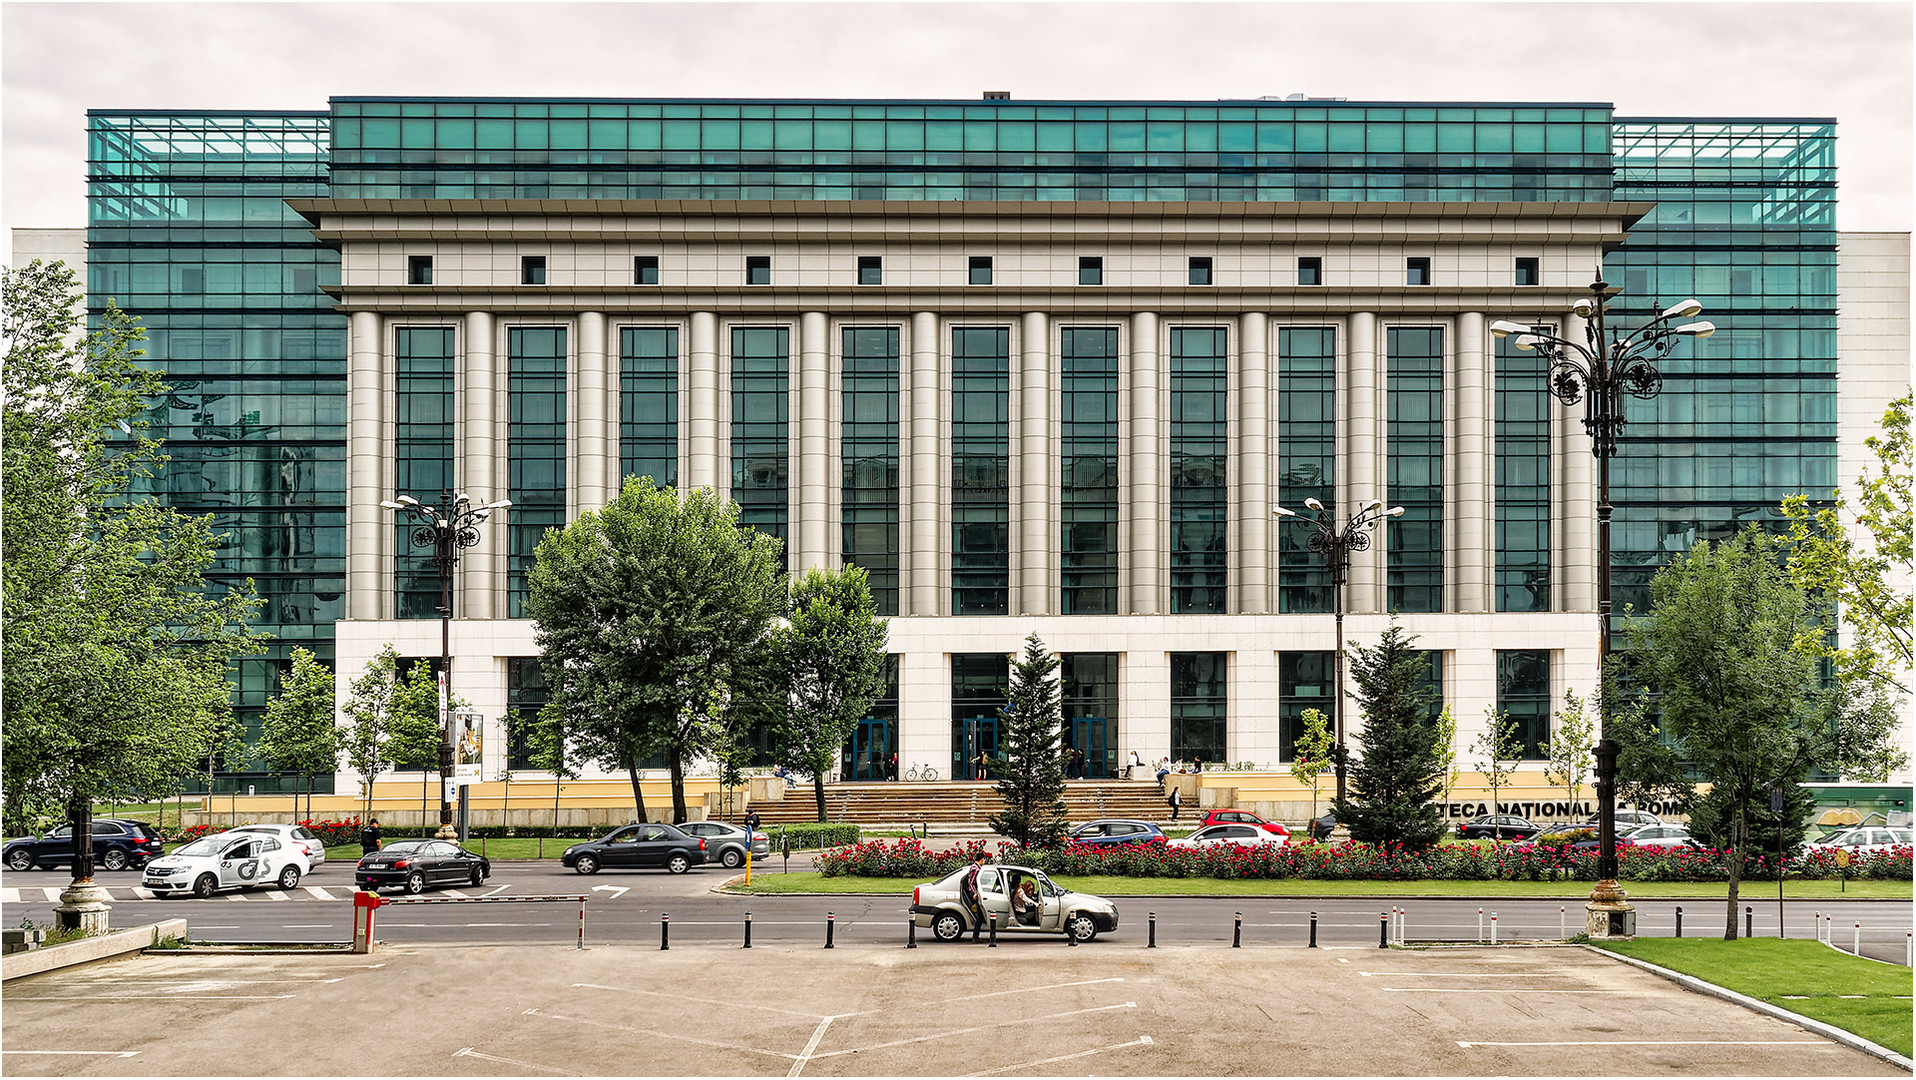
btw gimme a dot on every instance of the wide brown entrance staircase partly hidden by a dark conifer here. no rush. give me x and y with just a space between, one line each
957 805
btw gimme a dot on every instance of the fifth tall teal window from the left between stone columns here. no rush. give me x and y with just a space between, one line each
871 455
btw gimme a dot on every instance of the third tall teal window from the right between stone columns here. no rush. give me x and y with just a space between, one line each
1308 461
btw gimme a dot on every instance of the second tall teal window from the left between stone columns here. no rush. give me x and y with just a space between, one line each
536 447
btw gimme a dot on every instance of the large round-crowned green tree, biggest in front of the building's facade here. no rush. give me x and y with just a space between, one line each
650 612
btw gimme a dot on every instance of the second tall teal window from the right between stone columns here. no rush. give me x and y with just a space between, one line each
1415 468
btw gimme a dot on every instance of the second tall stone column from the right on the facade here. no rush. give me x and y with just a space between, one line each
1472 493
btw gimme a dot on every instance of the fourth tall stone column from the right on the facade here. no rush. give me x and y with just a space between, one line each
1252 466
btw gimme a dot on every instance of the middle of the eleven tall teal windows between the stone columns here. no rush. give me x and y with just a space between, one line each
982 470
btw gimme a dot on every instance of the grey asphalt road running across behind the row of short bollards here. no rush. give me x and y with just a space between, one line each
627 909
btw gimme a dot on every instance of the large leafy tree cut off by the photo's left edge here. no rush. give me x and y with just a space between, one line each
116 646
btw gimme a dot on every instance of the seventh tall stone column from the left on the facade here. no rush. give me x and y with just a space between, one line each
1038 539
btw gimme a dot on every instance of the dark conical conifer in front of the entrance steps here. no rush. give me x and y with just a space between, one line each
1032 773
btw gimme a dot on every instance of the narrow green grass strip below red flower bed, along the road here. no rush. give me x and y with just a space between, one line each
1290 888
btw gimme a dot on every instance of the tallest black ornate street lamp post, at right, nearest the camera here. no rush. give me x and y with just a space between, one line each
1599 374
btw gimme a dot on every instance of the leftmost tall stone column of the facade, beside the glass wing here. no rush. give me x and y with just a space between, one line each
369 526
